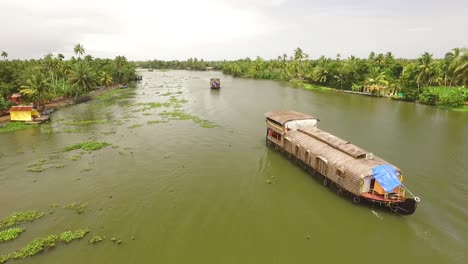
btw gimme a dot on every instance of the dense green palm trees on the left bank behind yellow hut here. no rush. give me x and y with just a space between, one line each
53 76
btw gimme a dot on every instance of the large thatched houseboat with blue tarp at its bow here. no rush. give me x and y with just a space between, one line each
337 163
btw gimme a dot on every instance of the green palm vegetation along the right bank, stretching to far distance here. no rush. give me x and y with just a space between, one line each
433 81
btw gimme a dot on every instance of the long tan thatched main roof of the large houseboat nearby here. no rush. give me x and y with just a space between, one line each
337 152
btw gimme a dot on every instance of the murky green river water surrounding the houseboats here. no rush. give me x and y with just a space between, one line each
178 192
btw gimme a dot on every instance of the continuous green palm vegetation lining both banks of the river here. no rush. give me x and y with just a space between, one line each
54 82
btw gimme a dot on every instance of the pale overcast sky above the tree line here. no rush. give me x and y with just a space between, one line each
231 29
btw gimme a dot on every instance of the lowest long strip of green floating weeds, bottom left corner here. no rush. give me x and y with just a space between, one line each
39 244
